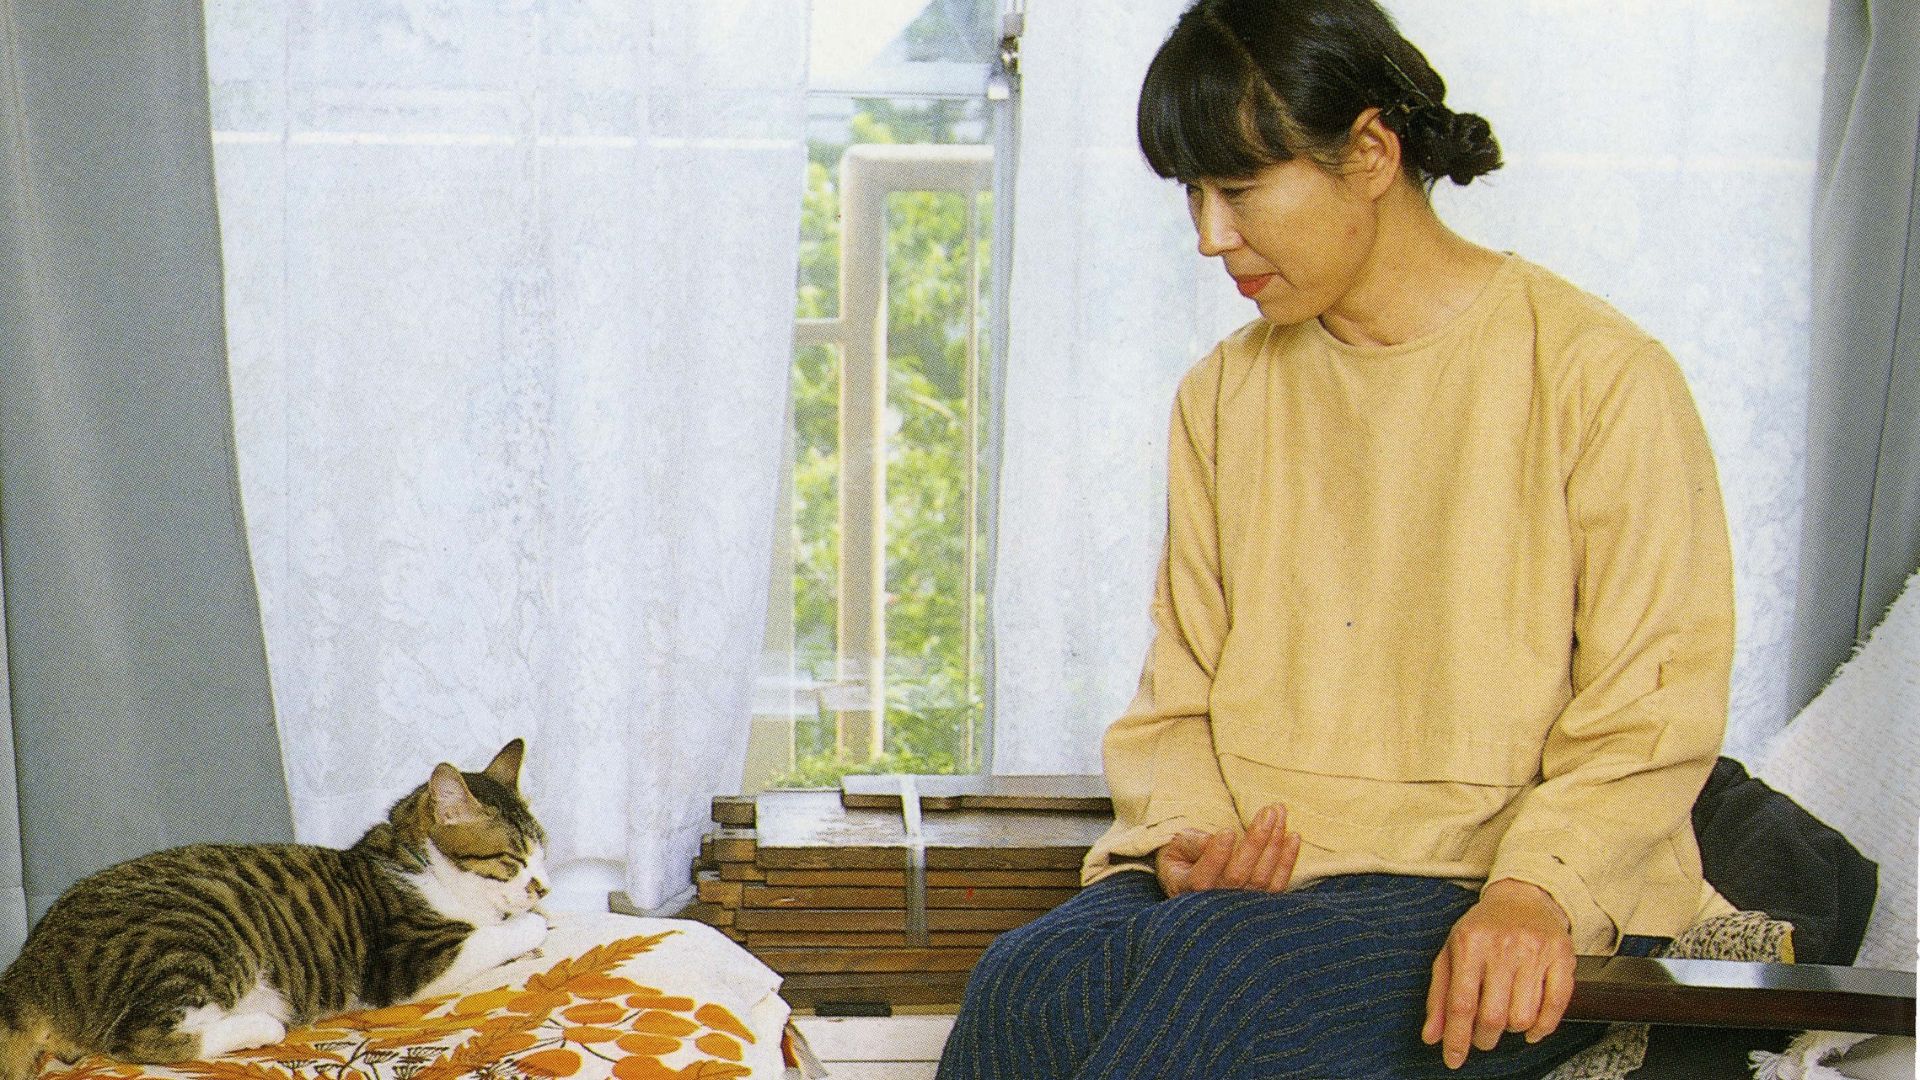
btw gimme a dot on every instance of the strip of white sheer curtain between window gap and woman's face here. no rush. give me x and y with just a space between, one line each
1109 307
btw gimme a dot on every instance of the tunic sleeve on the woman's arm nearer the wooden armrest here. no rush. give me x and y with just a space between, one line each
1654 639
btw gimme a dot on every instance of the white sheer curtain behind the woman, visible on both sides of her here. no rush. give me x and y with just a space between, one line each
1660 155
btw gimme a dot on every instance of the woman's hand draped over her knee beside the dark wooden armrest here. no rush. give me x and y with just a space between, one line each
1506 968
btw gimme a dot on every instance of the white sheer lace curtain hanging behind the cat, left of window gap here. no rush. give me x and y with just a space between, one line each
512 310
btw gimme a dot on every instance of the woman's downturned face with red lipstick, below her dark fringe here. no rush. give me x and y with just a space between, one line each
1295 235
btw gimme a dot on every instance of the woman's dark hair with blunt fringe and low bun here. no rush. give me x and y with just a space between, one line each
1249 84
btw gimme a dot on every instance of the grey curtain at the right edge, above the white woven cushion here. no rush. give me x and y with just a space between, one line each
1863 462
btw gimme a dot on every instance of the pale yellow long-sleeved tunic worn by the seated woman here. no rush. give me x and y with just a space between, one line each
1462 604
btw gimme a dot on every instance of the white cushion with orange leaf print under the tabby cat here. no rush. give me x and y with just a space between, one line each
604 996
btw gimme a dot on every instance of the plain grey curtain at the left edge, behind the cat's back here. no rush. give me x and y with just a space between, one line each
135 666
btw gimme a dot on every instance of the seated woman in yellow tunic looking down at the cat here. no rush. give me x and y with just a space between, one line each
1445 620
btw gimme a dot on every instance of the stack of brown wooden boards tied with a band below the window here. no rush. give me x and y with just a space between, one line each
863 900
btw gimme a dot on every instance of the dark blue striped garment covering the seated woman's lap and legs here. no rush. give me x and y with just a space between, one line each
1322 983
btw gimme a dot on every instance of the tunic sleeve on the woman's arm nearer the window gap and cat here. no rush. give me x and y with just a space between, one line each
1161 758
